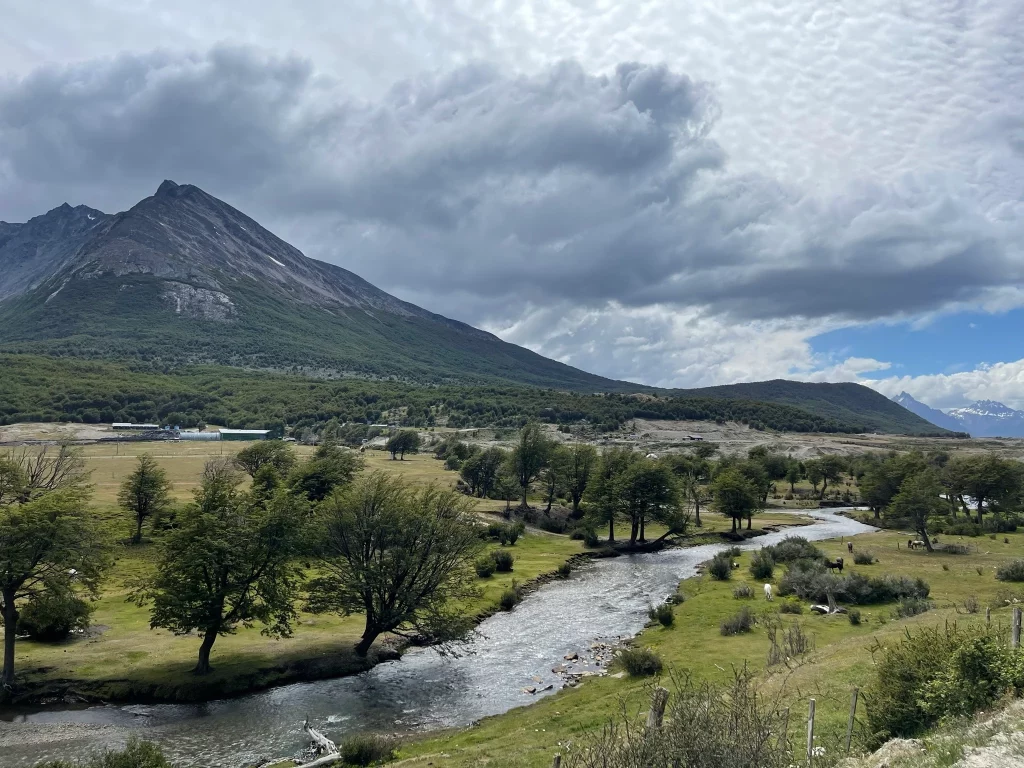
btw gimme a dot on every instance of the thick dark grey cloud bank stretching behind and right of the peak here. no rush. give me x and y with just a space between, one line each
564 186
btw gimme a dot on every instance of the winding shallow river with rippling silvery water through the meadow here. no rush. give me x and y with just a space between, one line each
604 602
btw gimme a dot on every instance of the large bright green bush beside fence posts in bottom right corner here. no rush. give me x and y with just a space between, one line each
941 673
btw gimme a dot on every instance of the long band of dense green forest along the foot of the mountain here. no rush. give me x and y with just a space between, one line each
58 390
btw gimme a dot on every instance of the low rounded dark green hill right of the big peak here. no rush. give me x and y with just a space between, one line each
847 403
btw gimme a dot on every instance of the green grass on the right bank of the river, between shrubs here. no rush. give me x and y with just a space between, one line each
530 737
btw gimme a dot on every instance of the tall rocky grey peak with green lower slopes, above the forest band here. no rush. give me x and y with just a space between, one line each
184 278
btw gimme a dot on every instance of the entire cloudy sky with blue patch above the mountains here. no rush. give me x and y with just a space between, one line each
677 194
